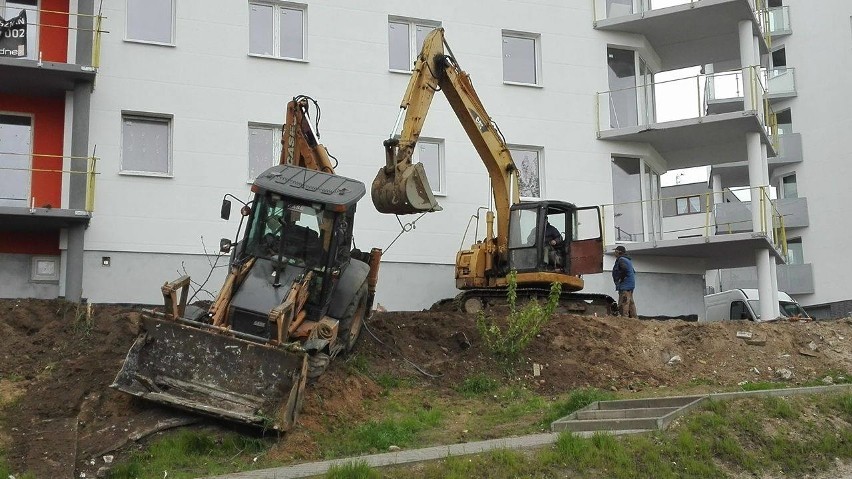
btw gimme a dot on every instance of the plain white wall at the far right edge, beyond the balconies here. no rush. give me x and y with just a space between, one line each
820 49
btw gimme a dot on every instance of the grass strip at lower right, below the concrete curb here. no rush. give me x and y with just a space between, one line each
755 436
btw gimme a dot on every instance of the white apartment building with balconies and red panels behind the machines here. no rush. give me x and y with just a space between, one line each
180 101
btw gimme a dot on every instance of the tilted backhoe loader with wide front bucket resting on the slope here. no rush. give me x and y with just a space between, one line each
296 296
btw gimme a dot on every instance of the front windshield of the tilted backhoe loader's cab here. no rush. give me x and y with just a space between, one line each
293 230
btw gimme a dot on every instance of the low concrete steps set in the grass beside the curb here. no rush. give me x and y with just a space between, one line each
633 415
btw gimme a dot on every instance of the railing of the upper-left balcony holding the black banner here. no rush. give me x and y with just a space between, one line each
38 19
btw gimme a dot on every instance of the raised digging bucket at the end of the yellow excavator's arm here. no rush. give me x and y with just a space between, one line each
406 192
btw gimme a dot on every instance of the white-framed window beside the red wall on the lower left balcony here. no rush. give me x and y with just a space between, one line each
16 146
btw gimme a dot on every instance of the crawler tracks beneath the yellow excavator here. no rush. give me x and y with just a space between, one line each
584 304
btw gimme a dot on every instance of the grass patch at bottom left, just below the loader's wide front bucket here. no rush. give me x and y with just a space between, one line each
184 453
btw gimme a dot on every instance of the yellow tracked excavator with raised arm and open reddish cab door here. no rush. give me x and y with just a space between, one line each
524 240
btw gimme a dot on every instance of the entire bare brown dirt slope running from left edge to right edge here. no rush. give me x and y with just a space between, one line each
57 413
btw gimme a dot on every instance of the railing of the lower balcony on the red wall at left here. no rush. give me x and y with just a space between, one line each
9 169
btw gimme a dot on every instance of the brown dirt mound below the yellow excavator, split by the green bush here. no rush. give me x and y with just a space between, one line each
615 353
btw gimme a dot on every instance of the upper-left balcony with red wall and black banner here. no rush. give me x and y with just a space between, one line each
39 63
